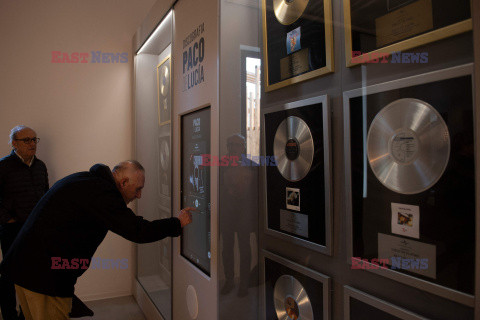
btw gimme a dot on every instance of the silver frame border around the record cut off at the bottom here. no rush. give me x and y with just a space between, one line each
324 279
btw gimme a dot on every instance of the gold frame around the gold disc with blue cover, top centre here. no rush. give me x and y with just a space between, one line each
329 67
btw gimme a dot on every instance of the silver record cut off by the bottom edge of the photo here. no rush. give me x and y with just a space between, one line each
291 300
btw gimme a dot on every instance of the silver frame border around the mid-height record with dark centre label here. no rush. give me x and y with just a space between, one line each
327 249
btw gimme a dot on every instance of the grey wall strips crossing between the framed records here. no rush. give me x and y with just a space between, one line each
442 54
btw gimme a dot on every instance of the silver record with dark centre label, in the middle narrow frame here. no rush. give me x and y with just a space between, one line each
293 148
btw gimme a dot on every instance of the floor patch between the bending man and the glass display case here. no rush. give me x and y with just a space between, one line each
123 308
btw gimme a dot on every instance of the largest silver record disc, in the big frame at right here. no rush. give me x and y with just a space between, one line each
408 146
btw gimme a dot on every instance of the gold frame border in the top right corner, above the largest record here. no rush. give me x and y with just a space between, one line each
416 41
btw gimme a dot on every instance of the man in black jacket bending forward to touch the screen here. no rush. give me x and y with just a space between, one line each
57 242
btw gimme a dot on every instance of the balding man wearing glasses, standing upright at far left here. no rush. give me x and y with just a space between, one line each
23 181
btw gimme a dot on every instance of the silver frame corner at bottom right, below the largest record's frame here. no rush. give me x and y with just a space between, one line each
349 292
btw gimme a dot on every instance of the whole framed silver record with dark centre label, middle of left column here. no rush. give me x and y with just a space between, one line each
298 182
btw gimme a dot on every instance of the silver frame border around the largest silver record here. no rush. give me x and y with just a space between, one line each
463 70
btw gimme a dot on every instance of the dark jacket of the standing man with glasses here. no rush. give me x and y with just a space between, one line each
21 187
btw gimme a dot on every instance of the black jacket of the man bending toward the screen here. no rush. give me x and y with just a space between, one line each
70 222
